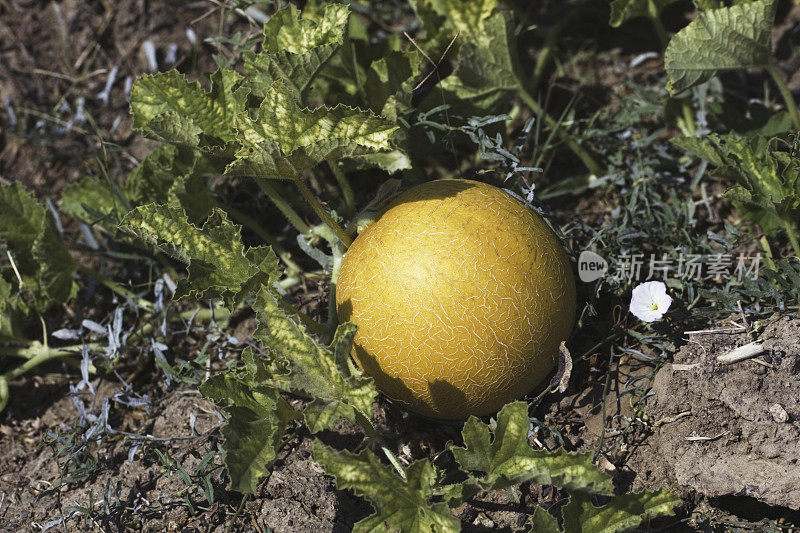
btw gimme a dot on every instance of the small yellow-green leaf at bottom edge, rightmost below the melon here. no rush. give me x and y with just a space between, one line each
622 513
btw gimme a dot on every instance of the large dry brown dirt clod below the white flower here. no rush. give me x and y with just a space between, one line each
743 434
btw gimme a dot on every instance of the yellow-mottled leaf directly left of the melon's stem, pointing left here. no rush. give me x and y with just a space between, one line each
219 265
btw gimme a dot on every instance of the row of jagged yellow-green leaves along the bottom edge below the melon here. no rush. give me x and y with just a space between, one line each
404 502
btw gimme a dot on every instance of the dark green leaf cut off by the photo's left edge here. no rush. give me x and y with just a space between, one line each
36 247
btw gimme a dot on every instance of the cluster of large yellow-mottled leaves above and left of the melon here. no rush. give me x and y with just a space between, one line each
278 137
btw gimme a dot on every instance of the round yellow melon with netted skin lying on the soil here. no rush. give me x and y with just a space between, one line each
461 295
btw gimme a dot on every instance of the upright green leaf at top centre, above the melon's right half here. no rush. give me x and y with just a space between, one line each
486 70
